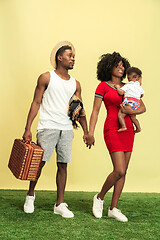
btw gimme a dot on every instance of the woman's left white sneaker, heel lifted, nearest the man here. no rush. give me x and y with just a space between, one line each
97 208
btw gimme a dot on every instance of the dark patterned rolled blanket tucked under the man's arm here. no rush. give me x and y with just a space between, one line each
75 110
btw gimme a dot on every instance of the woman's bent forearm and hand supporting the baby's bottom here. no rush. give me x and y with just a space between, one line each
128 110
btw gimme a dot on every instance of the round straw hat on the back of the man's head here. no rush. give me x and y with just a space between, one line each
55 49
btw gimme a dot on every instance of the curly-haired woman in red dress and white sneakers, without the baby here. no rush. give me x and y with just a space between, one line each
111 70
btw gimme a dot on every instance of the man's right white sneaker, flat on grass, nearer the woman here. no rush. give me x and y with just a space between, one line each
62 210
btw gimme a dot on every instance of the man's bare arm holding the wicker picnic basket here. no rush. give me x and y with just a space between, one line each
42 84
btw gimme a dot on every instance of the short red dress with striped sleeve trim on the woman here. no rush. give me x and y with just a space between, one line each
115 141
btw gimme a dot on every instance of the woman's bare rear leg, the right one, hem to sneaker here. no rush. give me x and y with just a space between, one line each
118 187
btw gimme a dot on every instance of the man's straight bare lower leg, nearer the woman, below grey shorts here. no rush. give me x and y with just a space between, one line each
61 181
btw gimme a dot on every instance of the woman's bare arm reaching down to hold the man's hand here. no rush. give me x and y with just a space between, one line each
93 120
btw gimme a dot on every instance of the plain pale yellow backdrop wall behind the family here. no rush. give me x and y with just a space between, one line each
29 30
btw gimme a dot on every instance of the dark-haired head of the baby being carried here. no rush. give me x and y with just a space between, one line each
134 74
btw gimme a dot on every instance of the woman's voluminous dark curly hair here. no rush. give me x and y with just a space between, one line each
106 64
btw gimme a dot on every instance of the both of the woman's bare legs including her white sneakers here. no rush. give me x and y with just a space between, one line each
120 162
